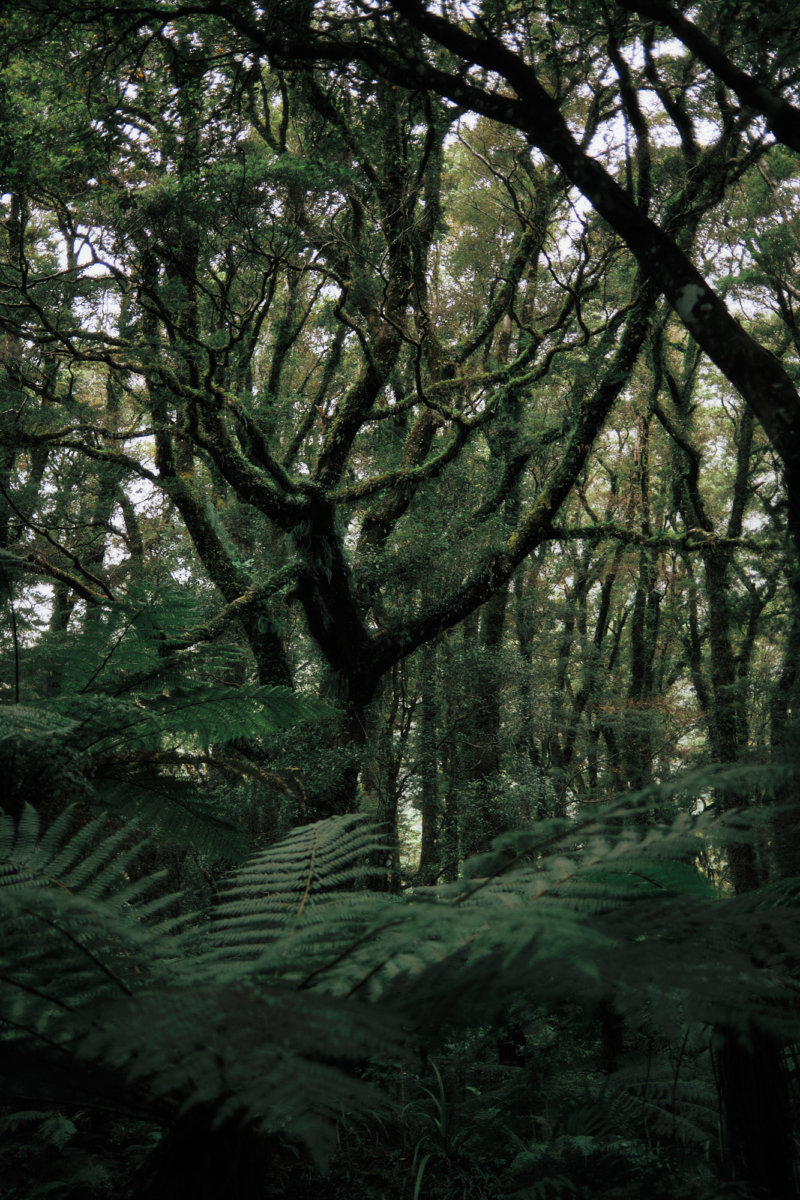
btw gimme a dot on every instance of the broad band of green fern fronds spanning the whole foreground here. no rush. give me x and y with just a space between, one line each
260 1013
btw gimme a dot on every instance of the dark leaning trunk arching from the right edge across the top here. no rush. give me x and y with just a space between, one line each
490 65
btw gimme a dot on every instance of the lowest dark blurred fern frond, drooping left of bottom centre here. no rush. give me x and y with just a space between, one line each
274 1060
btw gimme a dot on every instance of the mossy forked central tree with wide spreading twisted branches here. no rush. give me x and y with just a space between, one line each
287 367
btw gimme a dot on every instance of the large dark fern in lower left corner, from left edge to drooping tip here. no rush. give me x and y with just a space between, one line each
88 969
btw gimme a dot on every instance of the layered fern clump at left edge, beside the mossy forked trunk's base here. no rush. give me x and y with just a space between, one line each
142 717
